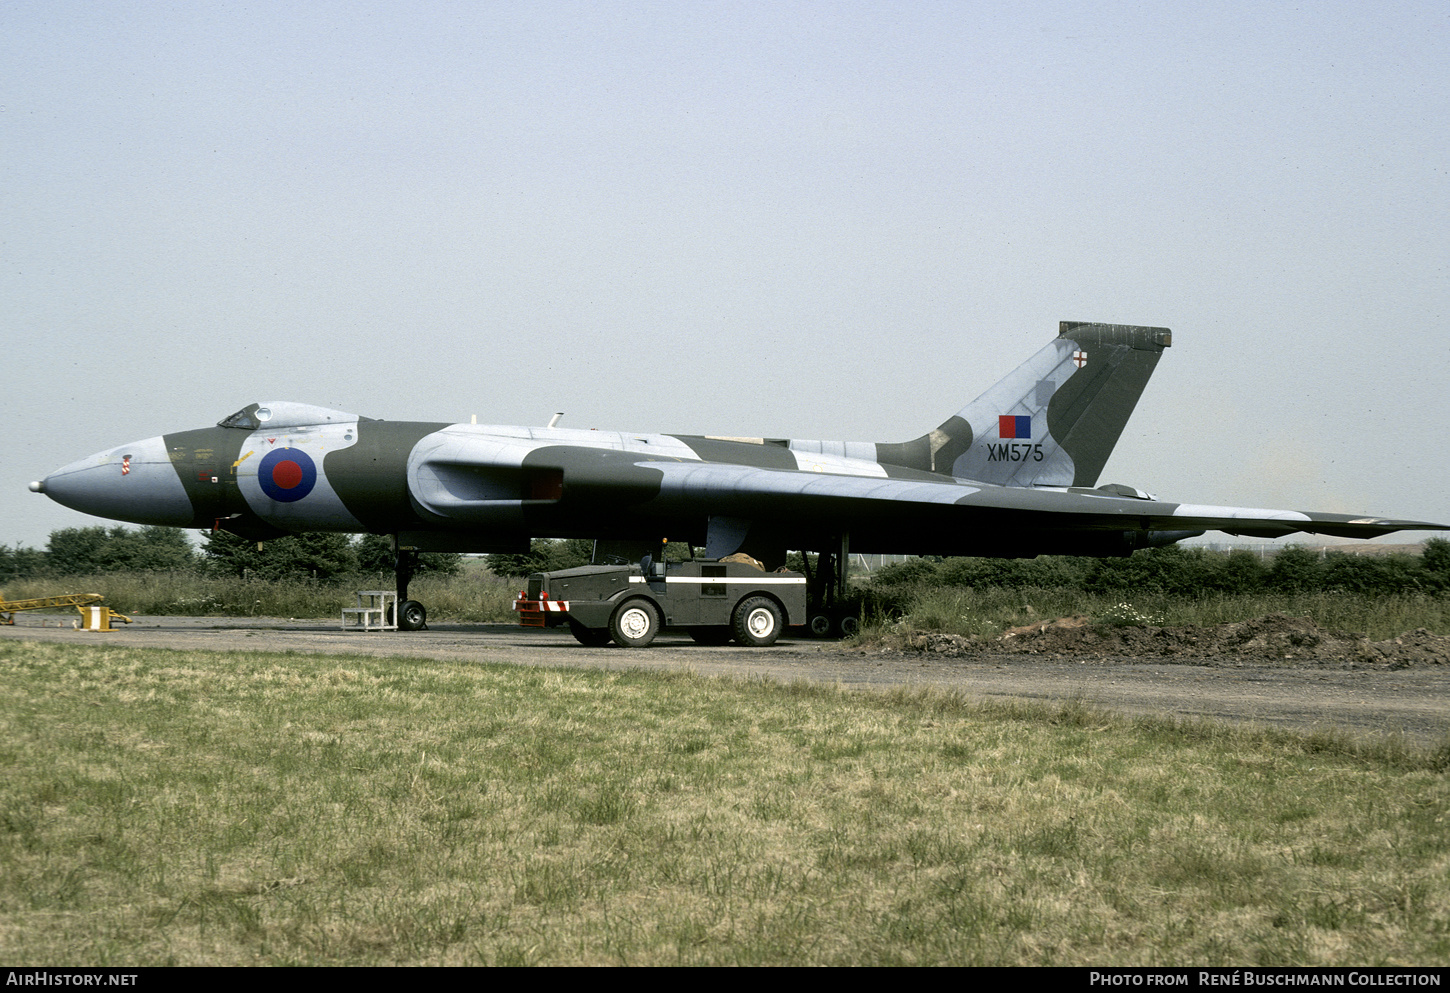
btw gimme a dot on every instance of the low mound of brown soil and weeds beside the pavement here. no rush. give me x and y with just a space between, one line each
1274 639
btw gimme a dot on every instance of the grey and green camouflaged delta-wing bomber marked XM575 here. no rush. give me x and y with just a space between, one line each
1011 475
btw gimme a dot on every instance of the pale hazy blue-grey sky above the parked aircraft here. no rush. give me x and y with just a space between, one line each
785 220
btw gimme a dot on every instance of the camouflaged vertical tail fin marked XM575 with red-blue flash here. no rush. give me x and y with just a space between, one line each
1055 420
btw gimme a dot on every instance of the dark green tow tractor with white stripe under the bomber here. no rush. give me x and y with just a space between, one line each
630 605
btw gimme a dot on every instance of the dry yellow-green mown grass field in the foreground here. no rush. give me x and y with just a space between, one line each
231 808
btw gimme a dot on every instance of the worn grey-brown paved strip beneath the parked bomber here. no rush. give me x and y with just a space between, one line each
1413 701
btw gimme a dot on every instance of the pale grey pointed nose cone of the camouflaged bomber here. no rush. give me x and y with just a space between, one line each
134 483
